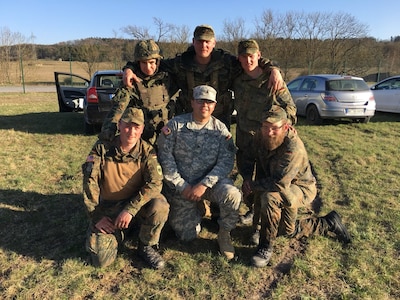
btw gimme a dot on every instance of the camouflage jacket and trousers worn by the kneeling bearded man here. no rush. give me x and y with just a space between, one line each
285 183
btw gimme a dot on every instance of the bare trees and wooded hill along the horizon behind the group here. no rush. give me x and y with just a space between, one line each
309 43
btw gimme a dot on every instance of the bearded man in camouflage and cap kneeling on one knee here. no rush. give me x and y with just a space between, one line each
284 183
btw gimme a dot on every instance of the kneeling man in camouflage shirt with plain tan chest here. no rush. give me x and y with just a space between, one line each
122 180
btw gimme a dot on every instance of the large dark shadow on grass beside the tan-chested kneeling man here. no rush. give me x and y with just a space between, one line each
42 226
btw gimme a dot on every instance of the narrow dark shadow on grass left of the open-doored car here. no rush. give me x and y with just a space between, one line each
45 123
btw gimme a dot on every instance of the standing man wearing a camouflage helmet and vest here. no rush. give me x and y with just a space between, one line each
152 94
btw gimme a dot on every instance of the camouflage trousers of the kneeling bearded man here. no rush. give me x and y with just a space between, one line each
278 219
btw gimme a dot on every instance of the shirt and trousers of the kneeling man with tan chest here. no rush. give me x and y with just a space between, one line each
114 181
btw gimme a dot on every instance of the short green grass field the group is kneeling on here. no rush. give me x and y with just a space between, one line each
42 221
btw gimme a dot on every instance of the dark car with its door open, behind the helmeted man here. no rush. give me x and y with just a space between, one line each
92 96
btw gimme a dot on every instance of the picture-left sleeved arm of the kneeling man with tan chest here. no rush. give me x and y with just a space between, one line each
92 176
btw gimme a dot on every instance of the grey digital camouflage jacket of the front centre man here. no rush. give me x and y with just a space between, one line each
189 155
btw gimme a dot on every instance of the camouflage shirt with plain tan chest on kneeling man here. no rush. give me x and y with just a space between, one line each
111 175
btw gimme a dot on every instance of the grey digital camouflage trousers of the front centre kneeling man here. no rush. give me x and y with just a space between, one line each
185 216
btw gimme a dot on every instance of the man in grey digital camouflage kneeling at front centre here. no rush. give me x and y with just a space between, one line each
196 152
